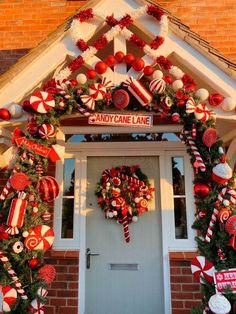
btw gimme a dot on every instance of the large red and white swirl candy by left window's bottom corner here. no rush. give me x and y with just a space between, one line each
40 238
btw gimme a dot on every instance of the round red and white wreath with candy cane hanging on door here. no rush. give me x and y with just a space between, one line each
123 194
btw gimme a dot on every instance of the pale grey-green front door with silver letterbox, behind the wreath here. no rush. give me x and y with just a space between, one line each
124 278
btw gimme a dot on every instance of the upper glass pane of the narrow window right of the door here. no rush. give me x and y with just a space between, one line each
178 175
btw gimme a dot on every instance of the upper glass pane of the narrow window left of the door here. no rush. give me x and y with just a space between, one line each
69 177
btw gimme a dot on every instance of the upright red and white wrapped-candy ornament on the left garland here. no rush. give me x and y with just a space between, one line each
16 214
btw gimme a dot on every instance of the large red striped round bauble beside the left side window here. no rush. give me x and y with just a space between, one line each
48 188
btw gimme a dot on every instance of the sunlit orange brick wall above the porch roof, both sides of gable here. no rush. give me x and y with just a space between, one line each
25 23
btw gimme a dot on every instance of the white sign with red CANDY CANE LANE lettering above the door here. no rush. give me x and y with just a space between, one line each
144 121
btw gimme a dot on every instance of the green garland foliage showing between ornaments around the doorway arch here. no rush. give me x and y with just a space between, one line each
67 104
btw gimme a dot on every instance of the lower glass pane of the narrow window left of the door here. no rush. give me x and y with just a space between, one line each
67 218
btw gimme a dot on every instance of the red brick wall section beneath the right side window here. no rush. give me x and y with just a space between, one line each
185 291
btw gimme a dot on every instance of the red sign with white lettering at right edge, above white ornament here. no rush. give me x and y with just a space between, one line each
225 279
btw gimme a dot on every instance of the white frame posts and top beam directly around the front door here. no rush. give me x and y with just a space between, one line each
85 150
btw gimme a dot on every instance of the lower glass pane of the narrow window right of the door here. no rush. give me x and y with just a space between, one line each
180 218
